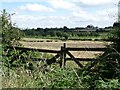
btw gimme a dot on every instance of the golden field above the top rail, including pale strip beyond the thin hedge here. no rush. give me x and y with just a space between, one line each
52 44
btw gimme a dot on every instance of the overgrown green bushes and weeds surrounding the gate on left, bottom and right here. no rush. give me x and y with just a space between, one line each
22 73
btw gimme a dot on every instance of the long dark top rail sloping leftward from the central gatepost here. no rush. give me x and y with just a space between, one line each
33 49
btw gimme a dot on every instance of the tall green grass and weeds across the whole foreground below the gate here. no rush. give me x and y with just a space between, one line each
54 77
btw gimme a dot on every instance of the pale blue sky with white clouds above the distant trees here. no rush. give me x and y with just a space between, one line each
59 13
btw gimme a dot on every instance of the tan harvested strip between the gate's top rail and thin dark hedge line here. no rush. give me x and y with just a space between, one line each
57 45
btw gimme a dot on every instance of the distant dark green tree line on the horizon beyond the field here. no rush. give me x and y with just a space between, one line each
63 32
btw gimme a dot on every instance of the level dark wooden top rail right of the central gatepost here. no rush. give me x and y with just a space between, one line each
86 49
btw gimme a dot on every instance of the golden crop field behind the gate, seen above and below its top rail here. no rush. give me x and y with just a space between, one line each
53 45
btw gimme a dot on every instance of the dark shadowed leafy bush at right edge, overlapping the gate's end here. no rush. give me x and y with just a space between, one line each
108 64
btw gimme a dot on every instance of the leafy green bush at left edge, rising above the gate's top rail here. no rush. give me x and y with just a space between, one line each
10 33
